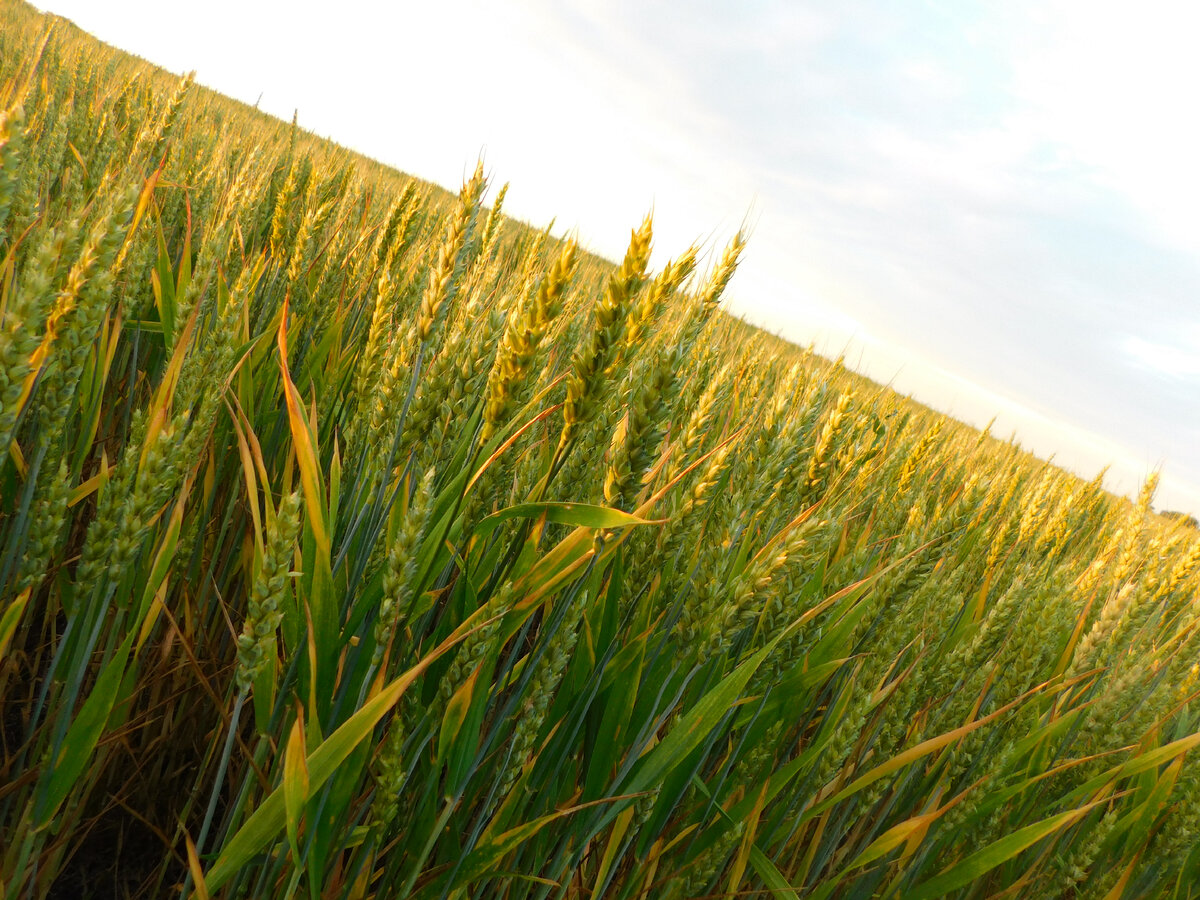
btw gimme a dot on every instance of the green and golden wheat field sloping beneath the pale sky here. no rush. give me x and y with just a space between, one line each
359 542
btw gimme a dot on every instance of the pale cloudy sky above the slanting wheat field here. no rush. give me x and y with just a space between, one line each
988 206
